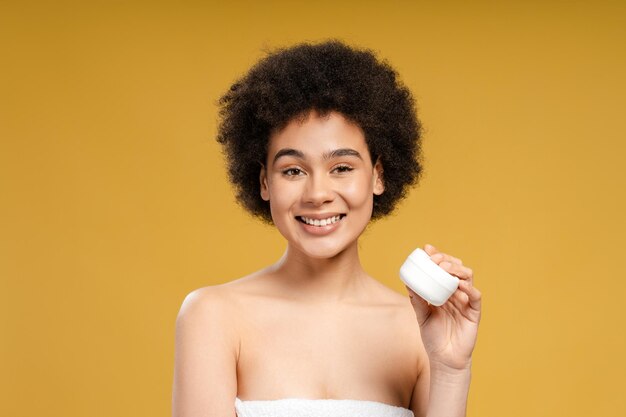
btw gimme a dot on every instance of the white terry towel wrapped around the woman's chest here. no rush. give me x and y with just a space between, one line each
296 407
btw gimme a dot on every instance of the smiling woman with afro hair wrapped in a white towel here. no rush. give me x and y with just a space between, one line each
320 139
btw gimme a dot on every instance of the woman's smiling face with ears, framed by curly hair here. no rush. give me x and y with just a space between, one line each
320 183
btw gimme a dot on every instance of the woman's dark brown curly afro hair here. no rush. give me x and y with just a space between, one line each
325 77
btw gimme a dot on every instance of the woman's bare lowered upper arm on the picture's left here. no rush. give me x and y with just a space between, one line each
205 363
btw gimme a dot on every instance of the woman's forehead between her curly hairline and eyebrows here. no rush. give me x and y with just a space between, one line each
316 135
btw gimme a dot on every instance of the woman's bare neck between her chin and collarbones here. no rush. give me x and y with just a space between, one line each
329 279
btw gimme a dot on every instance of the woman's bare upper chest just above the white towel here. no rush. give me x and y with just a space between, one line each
367 353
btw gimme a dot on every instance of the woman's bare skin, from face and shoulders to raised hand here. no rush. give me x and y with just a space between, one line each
315 324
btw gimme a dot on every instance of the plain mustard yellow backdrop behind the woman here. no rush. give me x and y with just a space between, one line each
114 202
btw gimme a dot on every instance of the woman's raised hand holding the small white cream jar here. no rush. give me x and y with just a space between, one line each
449 332
